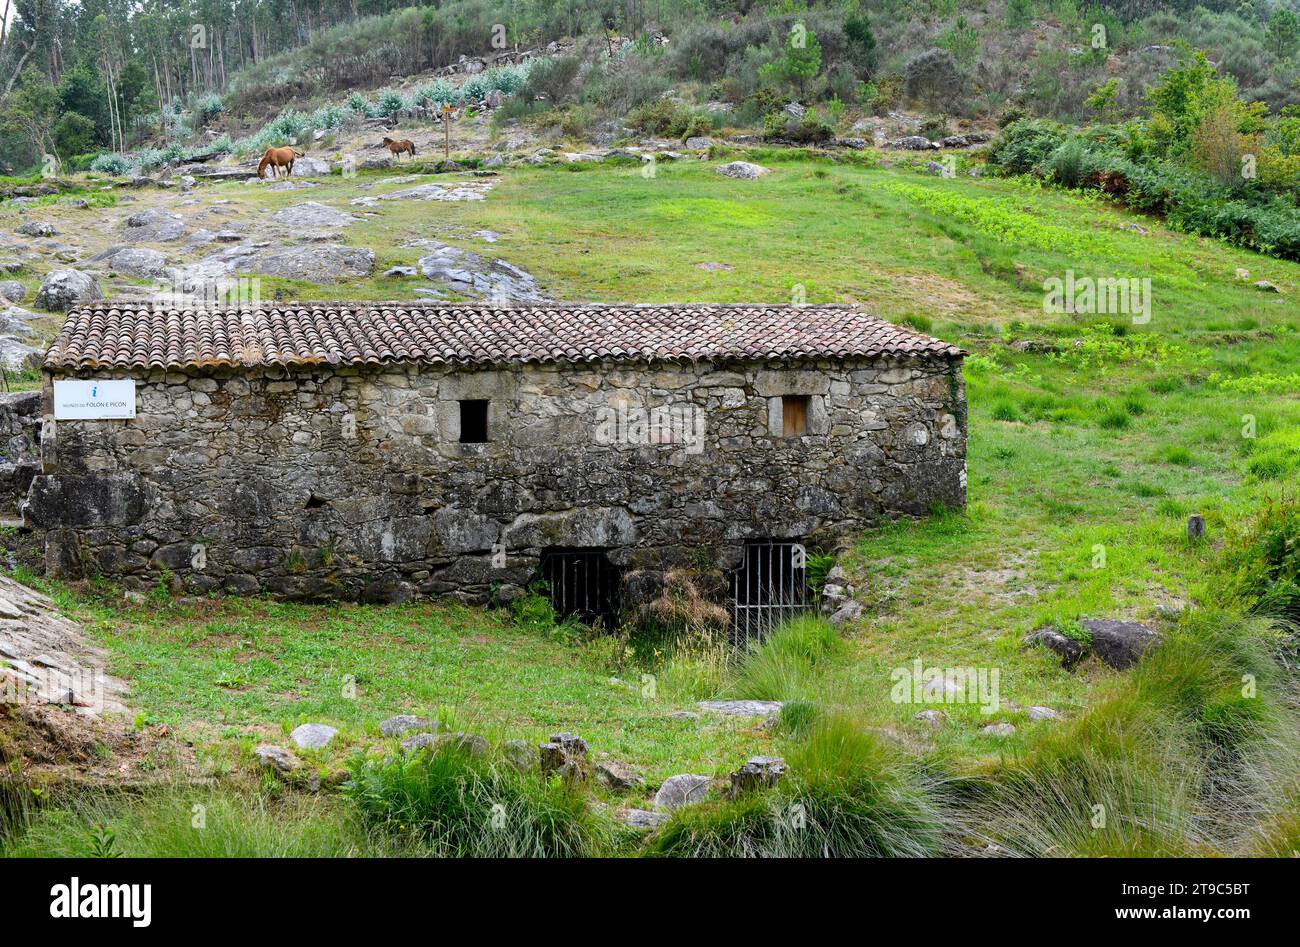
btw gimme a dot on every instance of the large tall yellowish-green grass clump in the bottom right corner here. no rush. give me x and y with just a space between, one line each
1169 760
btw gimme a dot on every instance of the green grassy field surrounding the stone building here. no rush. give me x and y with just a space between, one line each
1085 464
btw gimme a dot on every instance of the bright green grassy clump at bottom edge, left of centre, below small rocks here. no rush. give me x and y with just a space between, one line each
466 806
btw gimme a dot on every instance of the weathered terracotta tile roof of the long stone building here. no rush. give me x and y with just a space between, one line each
142 336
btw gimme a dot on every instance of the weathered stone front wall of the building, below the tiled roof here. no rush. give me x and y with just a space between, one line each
353 482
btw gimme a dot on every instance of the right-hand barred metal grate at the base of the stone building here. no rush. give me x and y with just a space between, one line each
770 586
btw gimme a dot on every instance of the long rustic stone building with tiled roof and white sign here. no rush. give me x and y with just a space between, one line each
392 451
